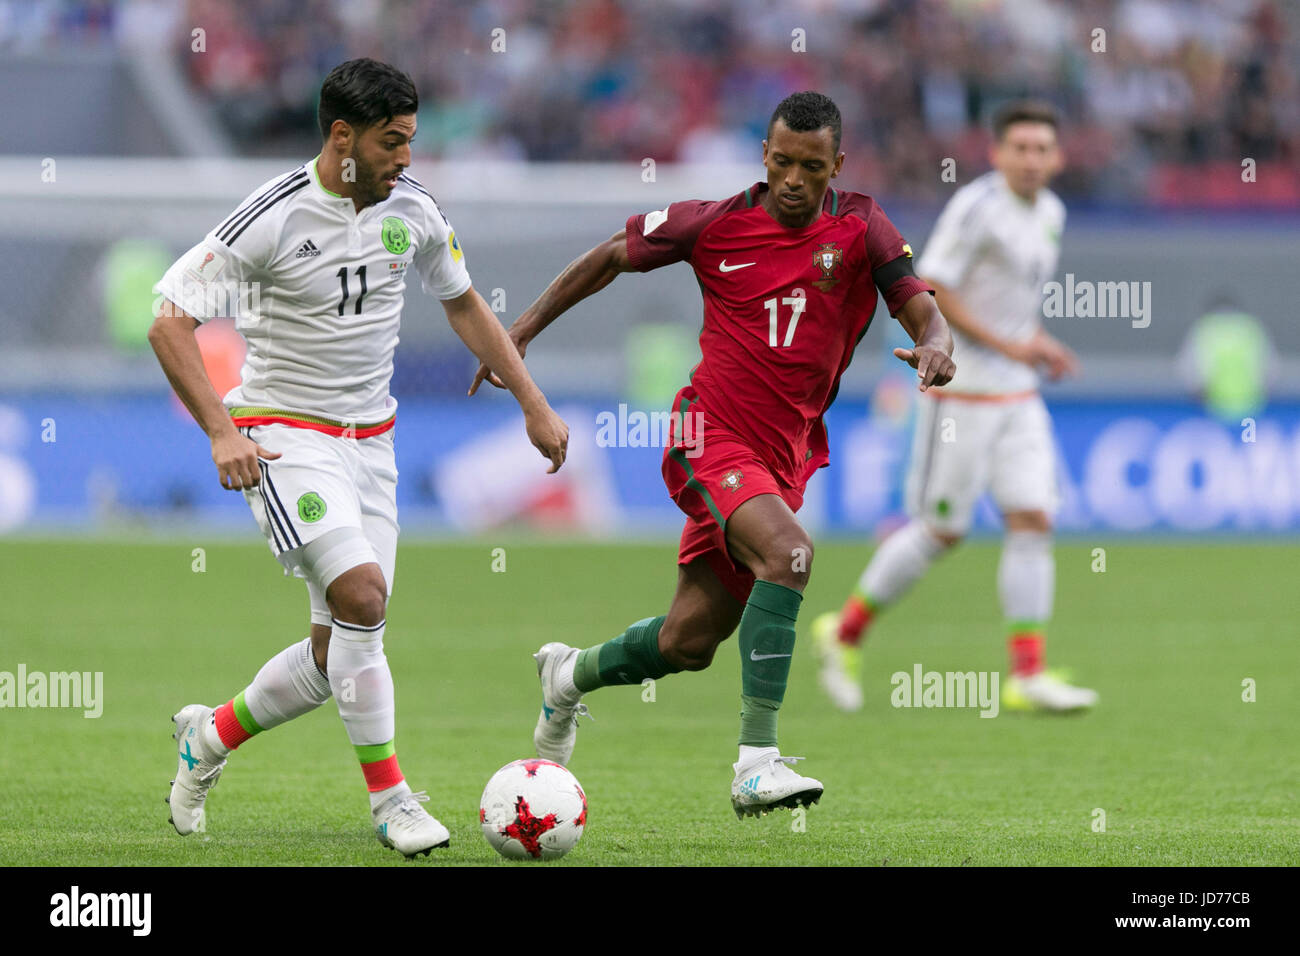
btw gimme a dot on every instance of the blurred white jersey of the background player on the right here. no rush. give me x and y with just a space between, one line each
995 252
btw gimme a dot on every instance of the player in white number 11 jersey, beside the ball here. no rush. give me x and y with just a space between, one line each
314 267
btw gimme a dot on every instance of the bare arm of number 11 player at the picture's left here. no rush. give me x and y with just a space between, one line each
236 457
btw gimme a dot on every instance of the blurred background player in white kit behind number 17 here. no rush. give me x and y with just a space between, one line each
994 248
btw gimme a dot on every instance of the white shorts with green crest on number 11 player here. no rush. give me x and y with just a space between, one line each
322 483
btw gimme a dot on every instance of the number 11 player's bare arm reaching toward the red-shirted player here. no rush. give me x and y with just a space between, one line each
483 335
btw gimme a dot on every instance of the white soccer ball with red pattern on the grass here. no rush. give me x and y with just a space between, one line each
534 810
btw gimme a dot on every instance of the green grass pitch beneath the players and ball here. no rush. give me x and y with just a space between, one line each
1185 769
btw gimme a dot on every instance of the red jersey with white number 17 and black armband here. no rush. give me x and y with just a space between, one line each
785 310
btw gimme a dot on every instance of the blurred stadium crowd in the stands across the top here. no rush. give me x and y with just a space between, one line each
1172 98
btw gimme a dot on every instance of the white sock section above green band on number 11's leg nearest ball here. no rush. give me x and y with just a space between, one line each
362 682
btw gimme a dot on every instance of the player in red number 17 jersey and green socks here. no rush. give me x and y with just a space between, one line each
790 272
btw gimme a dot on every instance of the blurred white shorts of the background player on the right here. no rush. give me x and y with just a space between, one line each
964 448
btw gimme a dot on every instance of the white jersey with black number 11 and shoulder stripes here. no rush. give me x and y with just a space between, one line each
317 291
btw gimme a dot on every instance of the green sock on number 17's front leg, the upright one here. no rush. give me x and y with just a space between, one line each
766 648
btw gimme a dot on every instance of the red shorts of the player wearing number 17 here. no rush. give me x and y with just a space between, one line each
710 473
